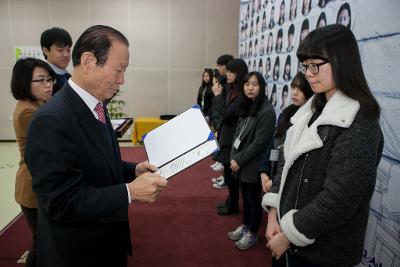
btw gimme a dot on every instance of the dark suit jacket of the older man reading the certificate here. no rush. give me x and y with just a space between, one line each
79 180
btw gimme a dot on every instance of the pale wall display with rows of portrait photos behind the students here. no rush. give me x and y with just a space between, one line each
269 34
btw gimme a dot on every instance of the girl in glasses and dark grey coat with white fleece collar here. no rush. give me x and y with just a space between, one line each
331 156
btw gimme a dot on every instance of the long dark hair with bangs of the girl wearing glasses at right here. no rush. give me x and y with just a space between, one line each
337 44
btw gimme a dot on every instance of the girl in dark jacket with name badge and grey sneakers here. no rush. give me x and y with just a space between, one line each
254 131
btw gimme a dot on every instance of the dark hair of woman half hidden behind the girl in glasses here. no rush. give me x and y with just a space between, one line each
283 124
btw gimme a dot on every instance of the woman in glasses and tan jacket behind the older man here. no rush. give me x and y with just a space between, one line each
31 85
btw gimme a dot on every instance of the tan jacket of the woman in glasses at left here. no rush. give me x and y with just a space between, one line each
24 110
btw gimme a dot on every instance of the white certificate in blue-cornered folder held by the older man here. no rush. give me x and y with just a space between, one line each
180 142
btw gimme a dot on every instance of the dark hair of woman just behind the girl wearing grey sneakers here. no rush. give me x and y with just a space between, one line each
239 67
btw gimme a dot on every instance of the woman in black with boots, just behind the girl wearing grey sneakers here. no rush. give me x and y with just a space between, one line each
235 72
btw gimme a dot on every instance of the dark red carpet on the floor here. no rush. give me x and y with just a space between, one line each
180 229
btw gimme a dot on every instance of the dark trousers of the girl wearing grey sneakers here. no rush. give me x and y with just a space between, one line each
252 210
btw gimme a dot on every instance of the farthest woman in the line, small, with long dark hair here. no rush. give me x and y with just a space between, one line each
205 94
